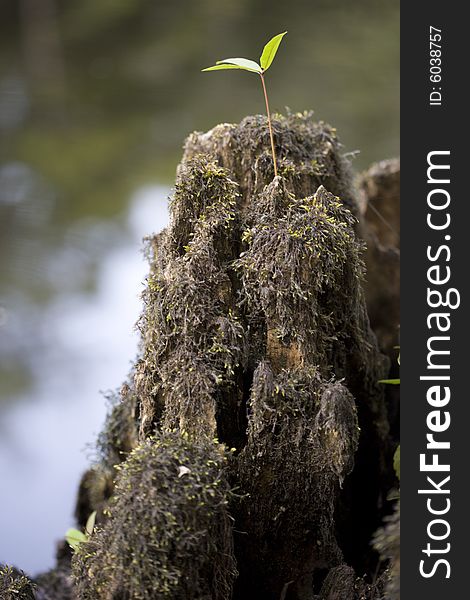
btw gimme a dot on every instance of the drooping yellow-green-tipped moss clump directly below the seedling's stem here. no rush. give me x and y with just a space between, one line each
302 268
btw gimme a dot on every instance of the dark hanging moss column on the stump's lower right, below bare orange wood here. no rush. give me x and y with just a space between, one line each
302 437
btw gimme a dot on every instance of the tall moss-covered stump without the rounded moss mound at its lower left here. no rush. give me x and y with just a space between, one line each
256 332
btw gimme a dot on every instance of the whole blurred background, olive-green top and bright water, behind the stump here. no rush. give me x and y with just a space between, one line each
96 97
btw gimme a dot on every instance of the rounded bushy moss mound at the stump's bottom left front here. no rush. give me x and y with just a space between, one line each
168 534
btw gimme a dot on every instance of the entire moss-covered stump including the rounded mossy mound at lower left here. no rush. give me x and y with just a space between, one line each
255 339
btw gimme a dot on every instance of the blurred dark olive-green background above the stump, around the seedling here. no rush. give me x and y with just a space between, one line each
114 87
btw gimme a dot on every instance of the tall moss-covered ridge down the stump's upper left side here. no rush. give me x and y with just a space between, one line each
192 336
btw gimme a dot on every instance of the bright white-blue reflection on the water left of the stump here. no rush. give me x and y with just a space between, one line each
79 343
